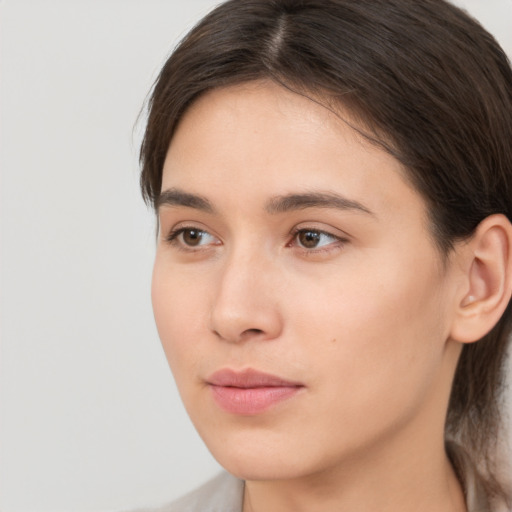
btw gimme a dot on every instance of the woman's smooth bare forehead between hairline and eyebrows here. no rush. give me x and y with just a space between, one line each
260 139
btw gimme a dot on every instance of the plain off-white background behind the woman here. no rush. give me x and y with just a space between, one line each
90 419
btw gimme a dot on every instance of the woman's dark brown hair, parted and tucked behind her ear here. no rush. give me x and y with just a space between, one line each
428 84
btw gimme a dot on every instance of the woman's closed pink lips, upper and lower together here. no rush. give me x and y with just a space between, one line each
249 392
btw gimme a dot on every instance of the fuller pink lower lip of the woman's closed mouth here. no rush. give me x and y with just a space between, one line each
250 401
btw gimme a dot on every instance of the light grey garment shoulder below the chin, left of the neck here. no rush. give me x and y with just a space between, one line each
224 493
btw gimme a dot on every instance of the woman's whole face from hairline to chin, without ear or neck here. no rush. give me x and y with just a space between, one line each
301 303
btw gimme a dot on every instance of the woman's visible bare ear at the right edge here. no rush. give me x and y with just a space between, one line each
487 280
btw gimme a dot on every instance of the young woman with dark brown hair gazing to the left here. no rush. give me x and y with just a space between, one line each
332 180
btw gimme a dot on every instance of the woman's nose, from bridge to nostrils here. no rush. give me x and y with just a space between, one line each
246 304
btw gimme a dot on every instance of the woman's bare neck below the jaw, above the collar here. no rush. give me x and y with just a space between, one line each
391 479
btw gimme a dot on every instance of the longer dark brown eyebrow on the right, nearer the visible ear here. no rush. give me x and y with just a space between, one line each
292 202
